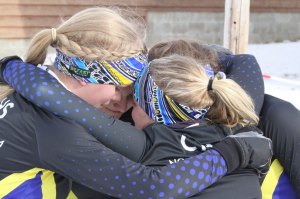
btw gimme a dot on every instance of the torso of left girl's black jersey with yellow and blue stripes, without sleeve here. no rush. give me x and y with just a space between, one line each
23 172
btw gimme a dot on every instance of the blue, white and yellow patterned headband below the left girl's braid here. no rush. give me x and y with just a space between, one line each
118 72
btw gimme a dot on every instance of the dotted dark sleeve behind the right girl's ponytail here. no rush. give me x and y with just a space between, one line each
245 70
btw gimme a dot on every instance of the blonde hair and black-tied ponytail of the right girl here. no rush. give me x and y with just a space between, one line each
184 80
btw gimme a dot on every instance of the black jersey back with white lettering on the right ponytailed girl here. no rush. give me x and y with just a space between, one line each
177 142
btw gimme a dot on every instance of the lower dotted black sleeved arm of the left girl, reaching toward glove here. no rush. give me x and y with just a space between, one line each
77 155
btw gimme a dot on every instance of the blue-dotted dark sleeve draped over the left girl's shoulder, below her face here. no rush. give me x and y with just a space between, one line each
45 91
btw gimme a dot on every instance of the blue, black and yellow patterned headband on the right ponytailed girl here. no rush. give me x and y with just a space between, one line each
160 107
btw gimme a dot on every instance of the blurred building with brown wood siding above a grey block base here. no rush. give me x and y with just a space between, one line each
203 20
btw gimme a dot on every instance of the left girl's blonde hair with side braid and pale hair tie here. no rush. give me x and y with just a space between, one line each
93 34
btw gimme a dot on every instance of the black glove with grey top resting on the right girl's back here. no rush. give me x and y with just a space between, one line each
247 149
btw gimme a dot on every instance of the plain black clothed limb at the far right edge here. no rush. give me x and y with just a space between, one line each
280 122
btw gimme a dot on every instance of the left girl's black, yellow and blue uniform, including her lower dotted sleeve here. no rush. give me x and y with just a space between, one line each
36 142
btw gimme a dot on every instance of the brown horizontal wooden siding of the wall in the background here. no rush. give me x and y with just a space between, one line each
20 19
